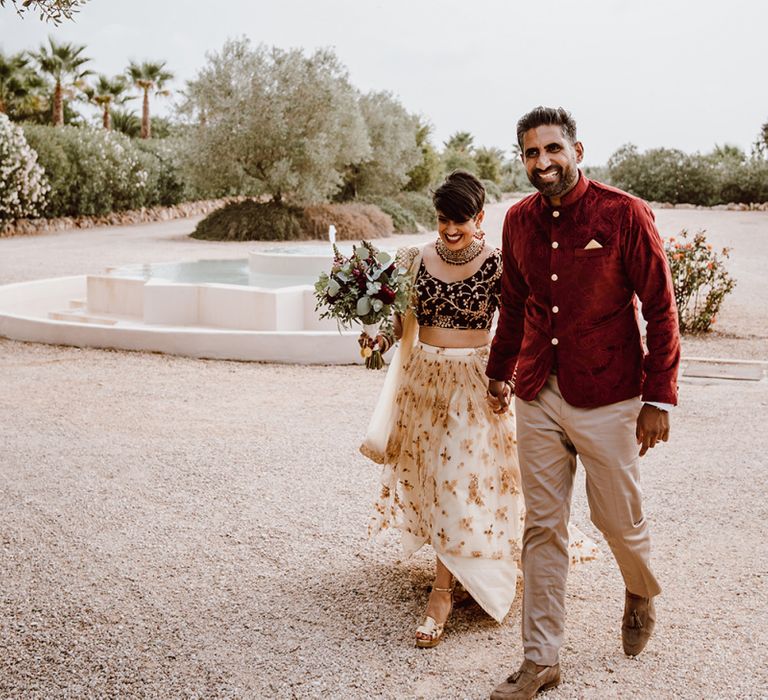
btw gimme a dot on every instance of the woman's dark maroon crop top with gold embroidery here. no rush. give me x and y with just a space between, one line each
465 304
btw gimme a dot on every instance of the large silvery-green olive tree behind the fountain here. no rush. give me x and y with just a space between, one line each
272 122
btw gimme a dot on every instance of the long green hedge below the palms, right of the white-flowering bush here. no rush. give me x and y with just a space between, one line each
94 171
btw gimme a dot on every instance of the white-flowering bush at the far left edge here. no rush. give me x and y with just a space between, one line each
23 185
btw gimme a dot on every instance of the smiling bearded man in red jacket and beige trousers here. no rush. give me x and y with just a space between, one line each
576 254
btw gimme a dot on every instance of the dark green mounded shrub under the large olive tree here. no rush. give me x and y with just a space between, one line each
252 221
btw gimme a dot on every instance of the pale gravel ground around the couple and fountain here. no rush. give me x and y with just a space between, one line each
172 527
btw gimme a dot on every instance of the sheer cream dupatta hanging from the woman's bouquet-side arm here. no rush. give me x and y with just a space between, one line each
374 445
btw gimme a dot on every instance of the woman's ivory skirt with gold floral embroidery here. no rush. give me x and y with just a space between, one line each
451 477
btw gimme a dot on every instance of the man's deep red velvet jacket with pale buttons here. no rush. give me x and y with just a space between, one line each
568 304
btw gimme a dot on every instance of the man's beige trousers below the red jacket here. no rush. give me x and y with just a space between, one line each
550 433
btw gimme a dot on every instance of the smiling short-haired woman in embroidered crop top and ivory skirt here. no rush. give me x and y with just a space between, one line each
451 476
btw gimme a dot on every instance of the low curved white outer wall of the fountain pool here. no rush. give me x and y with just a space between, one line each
23 316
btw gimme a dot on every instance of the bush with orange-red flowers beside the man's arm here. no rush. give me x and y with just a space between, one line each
700 280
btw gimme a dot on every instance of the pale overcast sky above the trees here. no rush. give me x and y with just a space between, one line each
679 73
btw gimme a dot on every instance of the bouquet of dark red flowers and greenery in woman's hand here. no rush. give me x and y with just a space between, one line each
367 287
